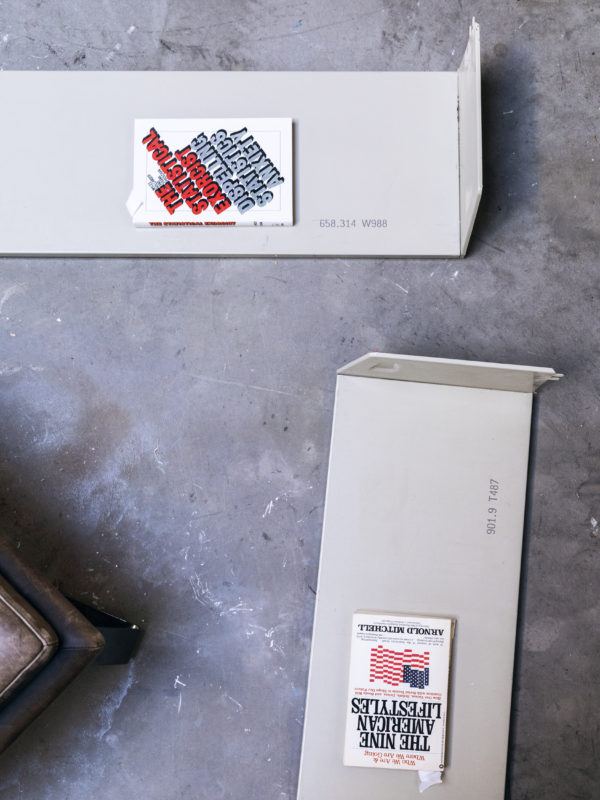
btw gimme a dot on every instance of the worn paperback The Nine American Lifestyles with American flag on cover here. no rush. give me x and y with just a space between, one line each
398 691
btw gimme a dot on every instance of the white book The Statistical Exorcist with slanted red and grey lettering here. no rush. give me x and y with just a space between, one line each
207 172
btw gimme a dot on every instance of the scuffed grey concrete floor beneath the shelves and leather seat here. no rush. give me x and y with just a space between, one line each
165 424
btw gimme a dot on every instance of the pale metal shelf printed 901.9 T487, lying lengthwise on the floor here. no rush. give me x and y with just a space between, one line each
423 515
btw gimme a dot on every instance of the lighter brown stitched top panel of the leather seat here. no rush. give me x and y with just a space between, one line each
27 642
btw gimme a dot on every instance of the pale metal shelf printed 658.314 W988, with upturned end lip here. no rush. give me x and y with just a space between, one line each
383 164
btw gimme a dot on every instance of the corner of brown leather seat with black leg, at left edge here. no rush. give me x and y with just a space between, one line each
45 642
